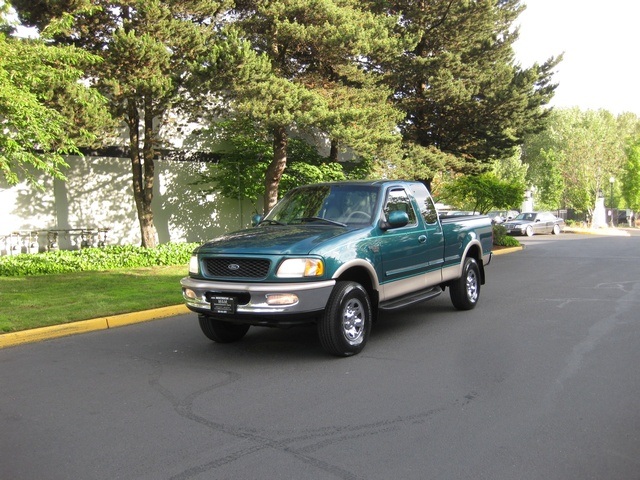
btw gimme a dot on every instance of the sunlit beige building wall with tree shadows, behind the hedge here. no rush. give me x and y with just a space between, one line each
98 194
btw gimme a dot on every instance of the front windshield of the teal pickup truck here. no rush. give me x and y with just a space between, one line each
345 205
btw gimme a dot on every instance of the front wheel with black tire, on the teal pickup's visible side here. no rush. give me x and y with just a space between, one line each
345 325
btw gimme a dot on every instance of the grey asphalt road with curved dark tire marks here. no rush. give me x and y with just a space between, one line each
540 381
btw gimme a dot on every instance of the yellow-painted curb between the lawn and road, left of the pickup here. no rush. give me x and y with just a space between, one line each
45 333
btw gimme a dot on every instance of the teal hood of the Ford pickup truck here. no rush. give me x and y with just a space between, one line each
273 240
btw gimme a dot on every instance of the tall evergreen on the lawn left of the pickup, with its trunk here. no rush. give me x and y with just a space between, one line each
149 48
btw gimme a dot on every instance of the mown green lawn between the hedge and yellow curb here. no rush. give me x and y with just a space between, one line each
38 301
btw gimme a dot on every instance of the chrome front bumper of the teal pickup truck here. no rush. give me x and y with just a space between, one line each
251 300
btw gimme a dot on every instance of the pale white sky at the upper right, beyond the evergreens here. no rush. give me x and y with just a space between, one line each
601 45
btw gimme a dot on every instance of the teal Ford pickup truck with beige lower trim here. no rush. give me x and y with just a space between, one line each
334 254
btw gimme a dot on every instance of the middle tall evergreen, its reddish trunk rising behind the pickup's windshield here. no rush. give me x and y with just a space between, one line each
313 71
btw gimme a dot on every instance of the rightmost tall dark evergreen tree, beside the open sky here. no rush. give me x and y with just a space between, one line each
459 85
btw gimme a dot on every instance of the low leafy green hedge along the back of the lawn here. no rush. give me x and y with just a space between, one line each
107 258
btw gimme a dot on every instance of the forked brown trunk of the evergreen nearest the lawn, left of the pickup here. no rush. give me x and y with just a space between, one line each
143 172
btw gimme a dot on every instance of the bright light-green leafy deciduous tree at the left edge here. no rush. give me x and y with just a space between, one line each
45 112
